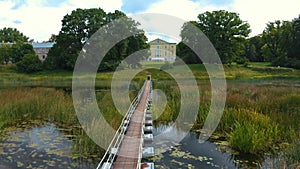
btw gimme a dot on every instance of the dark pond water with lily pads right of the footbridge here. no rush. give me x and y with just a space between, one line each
215 153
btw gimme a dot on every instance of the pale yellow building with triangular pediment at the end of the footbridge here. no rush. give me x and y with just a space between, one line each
162 51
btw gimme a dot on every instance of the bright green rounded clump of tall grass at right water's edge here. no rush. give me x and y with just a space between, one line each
253 132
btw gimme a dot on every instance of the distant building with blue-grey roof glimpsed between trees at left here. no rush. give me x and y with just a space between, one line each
42 49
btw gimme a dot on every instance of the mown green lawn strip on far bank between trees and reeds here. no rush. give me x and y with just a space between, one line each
9 77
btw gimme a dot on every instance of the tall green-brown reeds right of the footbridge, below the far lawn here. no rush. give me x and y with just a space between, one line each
256 118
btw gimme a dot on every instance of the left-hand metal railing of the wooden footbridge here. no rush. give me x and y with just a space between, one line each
114 146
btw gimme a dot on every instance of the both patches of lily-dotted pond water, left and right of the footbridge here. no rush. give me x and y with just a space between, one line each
47 146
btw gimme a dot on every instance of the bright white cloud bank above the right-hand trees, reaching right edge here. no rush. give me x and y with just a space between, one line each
256 12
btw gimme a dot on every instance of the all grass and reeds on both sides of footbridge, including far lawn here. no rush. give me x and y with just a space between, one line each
261 113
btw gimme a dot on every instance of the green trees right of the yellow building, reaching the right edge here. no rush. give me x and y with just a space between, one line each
279 43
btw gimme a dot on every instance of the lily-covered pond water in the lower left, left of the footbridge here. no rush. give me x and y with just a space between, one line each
44 146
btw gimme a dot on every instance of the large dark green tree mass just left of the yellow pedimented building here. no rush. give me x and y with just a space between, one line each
78 27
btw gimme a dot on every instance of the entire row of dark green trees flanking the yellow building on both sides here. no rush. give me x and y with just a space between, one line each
279 43
